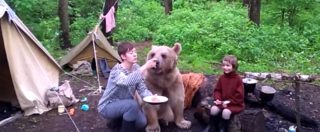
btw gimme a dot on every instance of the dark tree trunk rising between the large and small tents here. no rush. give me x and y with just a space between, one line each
64 24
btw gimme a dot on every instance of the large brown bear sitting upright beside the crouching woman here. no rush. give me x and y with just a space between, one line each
165 79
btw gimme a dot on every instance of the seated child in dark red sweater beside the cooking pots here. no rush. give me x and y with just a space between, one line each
228 95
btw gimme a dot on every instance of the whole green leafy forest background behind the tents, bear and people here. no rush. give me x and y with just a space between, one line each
287 39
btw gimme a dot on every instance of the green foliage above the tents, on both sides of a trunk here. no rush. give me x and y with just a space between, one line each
41 17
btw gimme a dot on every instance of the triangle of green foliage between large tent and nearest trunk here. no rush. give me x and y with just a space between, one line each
40 16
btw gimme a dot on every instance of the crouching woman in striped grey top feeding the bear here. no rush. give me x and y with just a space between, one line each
125 78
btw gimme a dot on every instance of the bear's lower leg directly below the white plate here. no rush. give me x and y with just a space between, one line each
152 117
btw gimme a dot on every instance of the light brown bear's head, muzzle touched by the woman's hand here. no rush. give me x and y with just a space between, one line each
166 58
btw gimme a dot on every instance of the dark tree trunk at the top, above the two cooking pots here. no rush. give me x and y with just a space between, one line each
254 11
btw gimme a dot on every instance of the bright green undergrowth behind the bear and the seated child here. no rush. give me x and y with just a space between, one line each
210 30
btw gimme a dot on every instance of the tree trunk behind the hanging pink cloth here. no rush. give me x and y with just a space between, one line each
107 5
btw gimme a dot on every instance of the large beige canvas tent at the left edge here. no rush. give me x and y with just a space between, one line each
27 69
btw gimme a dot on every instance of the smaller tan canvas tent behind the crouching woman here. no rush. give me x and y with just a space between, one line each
95 40
